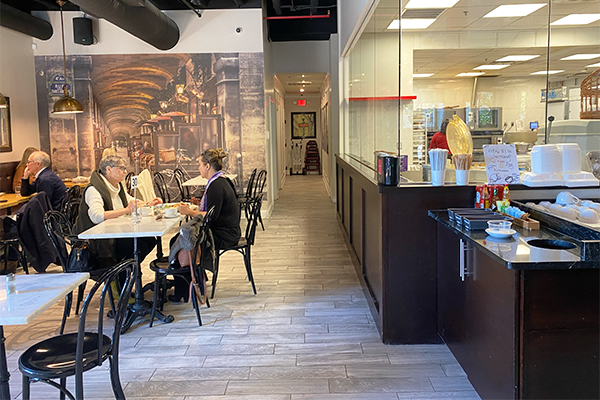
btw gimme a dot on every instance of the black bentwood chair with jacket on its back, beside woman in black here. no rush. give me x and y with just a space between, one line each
162 268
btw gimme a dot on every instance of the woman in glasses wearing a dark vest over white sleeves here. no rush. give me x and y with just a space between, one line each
105 198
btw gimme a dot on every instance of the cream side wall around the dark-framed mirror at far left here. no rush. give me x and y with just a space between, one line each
17 81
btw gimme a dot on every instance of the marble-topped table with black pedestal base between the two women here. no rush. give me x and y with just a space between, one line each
123 227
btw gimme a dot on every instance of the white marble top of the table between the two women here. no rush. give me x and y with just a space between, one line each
122 227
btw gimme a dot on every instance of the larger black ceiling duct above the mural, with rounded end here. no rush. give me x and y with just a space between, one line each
140 18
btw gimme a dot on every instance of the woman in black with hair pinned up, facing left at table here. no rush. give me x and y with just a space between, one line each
219 193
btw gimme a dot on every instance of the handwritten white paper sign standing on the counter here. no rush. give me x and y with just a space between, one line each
501 164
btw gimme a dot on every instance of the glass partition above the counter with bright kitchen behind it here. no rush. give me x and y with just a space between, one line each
419 63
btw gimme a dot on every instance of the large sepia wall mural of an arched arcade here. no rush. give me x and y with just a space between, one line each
160 109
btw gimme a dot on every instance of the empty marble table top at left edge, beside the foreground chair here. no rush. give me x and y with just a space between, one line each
35 294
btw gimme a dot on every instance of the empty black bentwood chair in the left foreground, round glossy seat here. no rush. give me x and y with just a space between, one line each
75 353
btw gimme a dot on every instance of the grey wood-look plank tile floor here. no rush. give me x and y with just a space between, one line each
306 335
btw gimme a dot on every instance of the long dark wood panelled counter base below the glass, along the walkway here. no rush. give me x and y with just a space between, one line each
393 244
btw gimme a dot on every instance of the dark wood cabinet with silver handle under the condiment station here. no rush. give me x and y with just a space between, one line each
519 333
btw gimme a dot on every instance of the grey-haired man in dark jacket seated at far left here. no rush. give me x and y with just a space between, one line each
45 180
